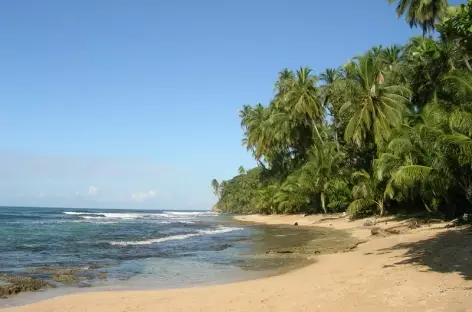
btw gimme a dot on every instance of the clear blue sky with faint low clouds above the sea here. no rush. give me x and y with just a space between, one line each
134 104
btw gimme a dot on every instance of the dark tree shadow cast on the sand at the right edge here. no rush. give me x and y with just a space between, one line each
445 253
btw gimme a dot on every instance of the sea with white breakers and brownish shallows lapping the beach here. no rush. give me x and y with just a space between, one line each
118 249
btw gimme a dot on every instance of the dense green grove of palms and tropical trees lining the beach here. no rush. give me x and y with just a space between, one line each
389 131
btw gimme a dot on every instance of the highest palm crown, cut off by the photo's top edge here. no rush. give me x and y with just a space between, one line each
422 13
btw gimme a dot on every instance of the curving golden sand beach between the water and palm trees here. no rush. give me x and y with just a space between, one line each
424 269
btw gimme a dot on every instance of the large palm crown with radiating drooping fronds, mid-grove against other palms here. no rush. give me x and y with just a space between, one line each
375 106
